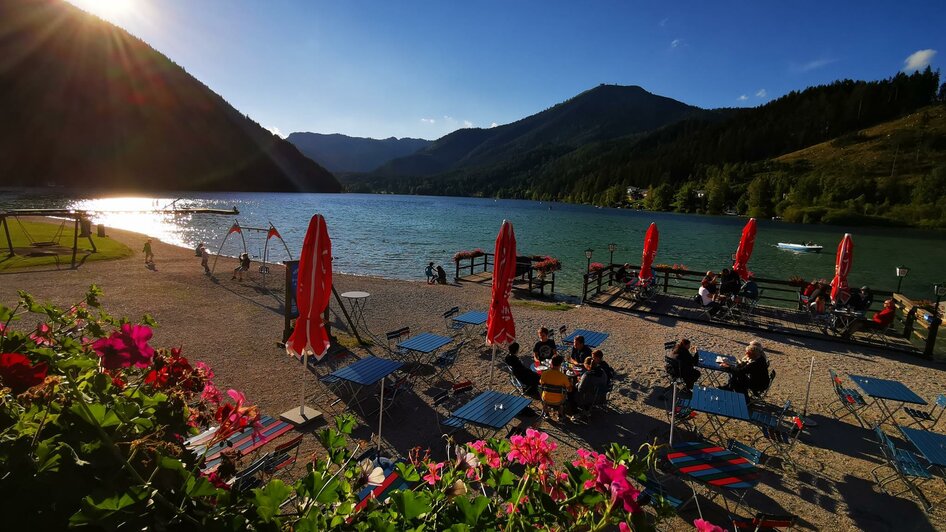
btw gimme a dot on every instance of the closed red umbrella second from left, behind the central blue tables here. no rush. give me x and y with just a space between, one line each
500 326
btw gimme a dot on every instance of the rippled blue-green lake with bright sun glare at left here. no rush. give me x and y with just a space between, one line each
395 236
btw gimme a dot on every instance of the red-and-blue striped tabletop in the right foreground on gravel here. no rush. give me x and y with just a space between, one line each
714 465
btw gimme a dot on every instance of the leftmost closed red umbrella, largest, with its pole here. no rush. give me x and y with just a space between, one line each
314 288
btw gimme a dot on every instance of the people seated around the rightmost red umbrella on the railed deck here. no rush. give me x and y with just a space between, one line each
852 304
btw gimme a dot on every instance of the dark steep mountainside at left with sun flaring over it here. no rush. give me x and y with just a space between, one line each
86 104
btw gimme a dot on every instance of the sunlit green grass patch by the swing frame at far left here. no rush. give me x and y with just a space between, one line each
24 233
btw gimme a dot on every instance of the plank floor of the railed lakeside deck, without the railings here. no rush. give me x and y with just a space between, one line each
767 319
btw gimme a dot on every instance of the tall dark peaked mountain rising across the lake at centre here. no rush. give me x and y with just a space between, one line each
601 113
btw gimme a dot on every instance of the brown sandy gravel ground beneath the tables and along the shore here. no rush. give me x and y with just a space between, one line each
235 326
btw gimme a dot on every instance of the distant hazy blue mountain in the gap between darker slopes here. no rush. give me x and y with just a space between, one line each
344 154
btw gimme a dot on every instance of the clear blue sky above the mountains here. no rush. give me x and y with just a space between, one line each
425 68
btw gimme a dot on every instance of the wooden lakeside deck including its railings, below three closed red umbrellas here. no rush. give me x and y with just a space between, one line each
778 310
